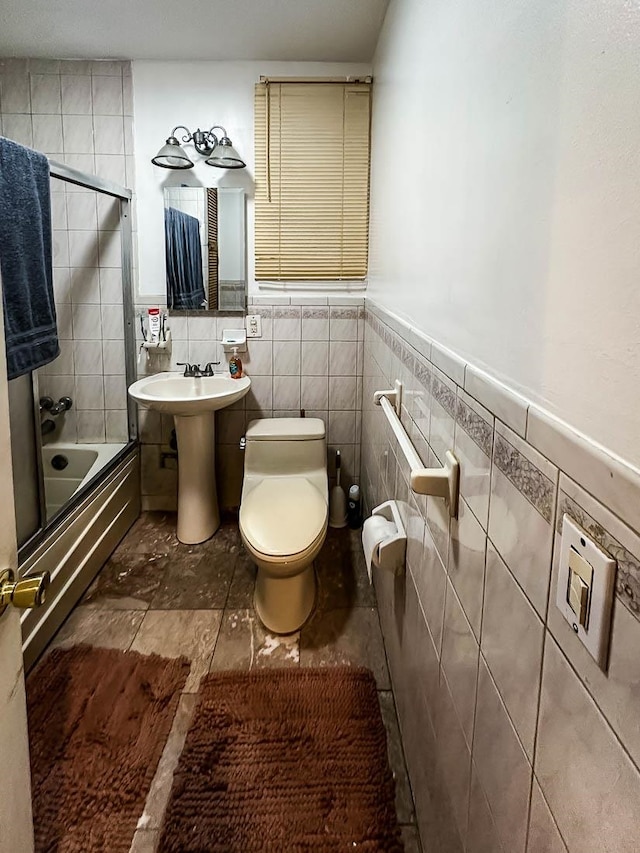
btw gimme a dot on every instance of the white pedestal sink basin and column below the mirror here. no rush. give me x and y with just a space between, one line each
192 401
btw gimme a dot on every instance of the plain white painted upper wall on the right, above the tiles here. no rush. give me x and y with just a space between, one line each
506 195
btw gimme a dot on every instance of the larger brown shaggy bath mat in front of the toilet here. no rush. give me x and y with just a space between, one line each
284 761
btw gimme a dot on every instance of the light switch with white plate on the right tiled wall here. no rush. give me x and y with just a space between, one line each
586 576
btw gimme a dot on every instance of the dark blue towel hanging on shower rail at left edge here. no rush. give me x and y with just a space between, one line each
25 259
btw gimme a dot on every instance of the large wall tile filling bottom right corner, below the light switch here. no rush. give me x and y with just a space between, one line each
588 780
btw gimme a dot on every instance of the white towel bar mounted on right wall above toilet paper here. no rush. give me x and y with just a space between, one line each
441 482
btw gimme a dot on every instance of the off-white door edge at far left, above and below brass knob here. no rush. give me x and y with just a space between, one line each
16 824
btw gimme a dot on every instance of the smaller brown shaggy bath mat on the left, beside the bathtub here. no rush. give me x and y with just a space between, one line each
98 722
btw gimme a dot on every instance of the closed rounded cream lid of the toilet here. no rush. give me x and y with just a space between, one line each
282 516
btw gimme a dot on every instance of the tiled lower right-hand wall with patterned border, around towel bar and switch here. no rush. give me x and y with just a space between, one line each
515 739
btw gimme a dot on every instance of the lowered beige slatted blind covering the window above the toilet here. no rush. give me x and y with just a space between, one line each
312 180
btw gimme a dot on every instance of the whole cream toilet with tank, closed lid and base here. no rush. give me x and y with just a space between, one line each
284 514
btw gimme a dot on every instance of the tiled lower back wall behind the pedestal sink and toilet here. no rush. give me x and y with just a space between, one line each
309 357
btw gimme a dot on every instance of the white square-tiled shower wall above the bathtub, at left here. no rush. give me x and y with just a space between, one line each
80 113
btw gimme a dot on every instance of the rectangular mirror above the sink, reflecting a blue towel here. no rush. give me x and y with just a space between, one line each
205 248
